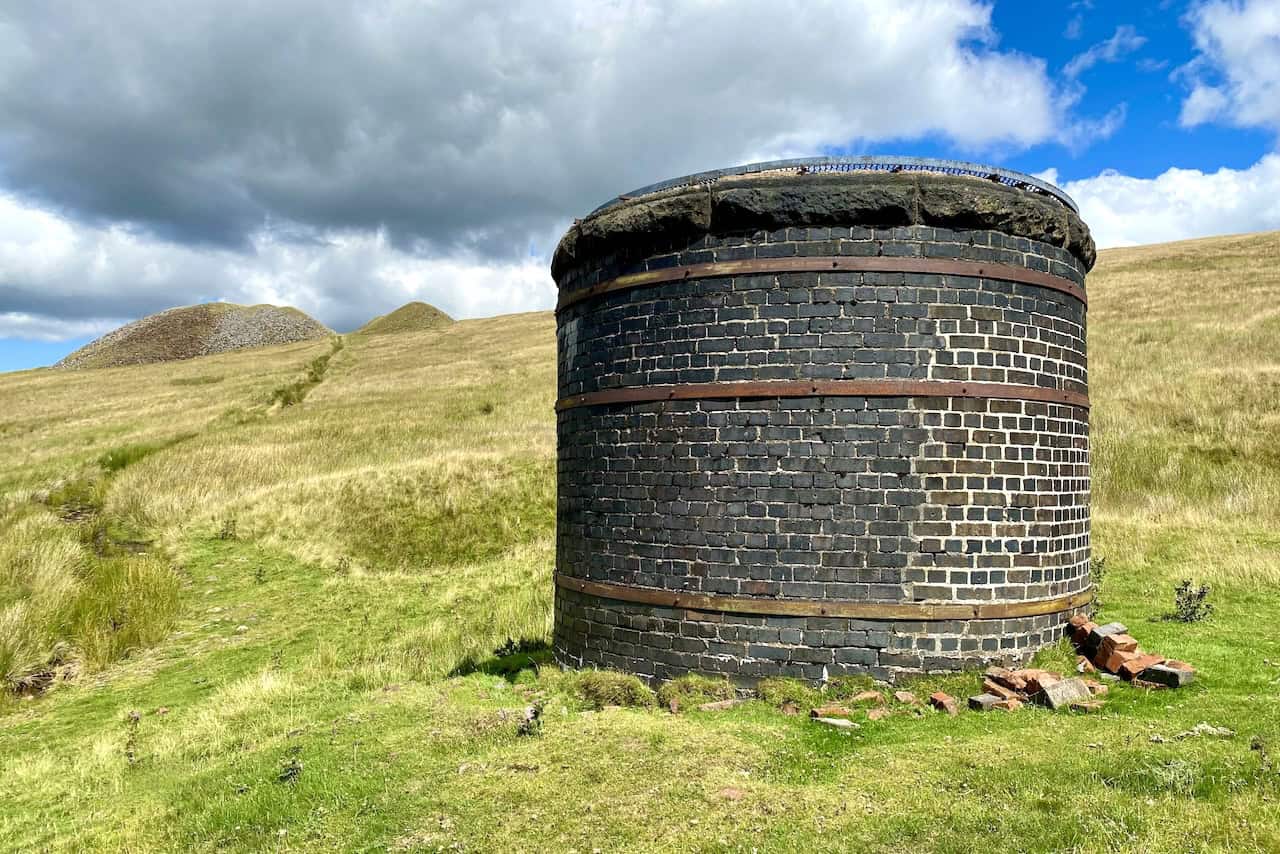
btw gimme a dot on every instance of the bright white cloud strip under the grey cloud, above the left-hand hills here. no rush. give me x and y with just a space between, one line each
66 280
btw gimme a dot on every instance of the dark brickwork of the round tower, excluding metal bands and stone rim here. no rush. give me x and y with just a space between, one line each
867 500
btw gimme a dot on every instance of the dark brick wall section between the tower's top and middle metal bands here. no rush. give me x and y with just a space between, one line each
826 326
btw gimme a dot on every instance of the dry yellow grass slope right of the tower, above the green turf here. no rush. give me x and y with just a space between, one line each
1185 375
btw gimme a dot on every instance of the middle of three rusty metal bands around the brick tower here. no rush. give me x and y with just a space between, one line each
825 389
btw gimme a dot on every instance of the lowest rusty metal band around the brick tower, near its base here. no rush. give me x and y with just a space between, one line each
924 611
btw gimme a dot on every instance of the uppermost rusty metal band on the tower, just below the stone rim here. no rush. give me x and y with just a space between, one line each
829 264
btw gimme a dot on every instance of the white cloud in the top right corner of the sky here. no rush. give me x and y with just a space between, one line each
1236 76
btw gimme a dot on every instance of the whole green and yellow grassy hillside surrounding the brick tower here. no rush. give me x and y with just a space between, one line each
351 552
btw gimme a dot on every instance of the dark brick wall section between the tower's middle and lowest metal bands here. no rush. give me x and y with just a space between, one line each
885 500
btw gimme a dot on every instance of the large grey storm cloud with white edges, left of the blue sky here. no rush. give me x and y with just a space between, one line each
255 150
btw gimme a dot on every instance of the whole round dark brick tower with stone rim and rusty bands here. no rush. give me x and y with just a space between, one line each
826 415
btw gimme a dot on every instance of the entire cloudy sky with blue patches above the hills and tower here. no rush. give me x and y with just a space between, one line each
346 158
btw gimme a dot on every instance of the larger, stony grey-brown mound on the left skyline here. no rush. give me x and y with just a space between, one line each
196 331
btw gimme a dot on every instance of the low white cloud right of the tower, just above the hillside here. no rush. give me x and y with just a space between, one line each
1178 204
